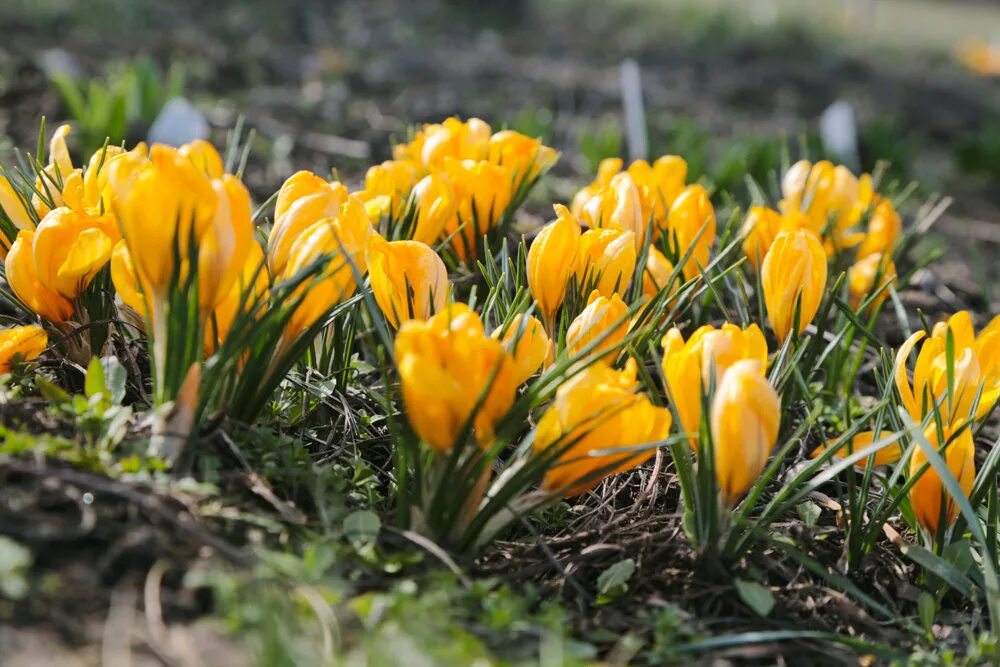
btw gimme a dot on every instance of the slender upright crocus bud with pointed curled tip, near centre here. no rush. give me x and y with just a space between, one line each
550 262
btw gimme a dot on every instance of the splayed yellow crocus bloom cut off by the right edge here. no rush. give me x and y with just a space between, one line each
976 368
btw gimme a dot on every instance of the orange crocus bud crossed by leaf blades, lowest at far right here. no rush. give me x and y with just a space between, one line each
928 493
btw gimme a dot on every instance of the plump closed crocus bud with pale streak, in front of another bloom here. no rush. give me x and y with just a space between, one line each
746 413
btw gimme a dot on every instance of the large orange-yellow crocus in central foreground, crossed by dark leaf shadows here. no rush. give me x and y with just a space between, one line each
444 373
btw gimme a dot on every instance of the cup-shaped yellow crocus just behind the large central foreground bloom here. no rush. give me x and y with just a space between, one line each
408 279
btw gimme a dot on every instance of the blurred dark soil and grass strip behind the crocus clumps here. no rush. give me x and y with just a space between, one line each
732 85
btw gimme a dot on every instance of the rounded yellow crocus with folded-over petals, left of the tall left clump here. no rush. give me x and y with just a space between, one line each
69 248
